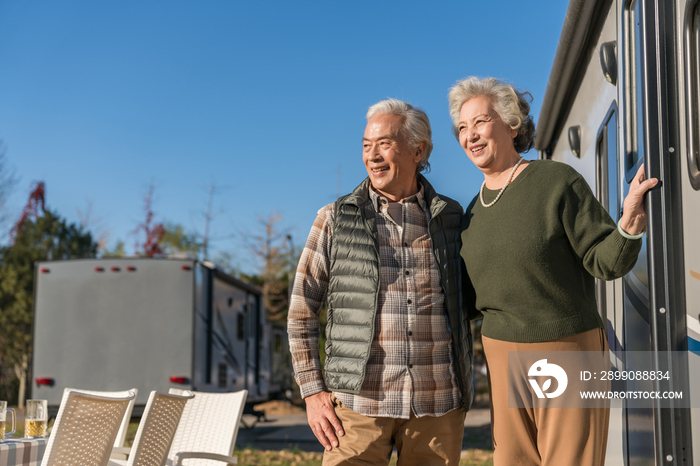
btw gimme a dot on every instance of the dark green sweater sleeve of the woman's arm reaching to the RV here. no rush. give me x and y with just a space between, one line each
593 236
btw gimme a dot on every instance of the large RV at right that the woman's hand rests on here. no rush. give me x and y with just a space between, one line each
625 90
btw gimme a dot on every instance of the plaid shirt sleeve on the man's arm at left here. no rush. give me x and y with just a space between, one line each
308 295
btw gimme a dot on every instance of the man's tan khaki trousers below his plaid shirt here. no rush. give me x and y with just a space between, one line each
420 441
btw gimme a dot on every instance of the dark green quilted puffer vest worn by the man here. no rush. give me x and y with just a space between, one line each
354 287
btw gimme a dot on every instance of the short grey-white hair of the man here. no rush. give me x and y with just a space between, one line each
415 127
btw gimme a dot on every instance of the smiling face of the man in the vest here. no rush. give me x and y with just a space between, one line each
391 164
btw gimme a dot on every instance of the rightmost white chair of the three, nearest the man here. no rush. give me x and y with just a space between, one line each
208 429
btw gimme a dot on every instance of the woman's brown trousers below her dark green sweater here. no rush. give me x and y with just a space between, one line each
544 436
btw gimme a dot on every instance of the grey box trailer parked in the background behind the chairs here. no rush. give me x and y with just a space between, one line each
111 324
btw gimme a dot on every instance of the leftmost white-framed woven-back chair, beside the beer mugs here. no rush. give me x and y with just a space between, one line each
85 428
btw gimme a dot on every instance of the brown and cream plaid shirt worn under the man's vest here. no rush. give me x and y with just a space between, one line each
411 362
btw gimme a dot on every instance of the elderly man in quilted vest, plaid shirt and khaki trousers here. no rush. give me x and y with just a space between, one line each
398 349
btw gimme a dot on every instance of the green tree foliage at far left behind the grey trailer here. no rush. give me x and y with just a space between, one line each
46 238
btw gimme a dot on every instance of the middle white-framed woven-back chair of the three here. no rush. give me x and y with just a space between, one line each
156 430
